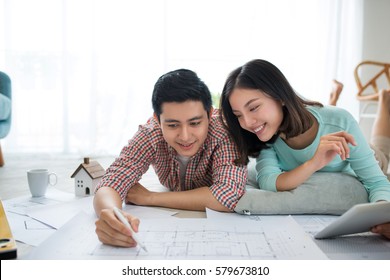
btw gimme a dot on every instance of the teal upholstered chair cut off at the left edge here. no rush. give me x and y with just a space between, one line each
5 109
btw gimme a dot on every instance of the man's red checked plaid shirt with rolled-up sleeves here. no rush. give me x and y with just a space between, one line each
212 166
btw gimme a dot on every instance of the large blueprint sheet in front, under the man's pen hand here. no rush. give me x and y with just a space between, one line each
177 238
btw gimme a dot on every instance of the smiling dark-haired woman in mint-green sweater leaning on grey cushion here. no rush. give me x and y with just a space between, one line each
292 137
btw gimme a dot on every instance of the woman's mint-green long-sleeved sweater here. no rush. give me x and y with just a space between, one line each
361 163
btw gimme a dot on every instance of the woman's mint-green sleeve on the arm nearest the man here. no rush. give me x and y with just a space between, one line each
267 169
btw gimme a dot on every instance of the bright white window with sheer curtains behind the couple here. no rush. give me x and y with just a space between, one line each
83 71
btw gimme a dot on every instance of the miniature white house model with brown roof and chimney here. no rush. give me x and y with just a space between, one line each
86 177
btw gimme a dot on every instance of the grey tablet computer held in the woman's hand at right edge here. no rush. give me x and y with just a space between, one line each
359 218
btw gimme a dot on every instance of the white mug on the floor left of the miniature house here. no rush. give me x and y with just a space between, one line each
38 180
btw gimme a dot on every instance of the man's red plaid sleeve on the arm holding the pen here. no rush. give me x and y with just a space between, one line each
133 161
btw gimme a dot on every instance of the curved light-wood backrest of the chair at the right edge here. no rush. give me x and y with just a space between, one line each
382 74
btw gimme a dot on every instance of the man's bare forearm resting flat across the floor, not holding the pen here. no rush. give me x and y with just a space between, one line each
196 199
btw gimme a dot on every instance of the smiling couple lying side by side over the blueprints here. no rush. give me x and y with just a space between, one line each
204 165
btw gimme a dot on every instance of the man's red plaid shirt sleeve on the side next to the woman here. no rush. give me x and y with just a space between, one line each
229 179
